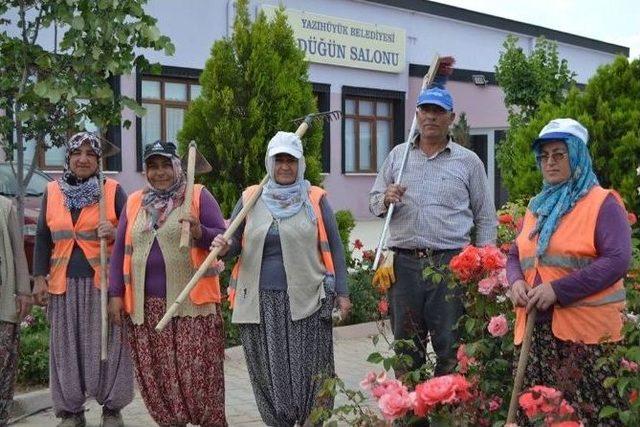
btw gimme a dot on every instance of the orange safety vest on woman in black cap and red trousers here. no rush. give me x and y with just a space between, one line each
206 291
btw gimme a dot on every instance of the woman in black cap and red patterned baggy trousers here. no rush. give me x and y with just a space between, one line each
180 369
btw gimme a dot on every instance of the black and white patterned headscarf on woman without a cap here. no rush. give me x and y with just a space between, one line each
80 192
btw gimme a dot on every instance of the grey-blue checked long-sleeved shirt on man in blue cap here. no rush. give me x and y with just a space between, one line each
447 195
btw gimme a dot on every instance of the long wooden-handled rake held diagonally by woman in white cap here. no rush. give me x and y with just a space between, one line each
304 124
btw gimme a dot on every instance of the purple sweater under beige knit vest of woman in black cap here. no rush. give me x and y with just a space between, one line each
155 275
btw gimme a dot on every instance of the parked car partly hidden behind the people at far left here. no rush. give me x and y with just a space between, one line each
32 202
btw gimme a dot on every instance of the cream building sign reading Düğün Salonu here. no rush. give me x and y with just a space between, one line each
337 41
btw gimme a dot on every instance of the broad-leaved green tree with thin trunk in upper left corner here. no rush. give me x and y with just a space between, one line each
50 89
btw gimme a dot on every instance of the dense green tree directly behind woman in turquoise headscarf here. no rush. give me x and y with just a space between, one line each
609 107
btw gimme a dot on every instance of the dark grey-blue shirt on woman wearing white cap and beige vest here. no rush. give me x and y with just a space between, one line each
272 274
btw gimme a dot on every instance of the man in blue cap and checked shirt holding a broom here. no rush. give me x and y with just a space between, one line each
443 196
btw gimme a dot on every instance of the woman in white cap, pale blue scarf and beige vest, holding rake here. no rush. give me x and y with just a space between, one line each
290 268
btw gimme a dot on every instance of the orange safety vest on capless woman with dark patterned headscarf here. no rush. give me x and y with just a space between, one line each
65 234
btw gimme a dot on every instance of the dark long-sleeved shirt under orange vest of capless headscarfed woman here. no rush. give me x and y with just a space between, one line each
78 266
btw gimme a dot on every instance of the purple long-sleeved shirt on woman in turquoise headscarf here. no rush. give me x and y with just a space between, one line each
613 245
